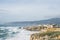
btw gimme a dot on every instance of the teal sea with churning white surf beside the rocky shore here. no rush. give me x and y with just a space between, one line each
14 33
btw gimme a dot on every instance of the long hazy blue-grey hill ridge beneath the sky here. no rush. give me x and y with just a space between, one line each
28 23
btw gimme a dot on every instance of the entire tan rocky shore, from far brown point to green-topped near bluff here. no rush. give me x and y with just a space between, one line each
47 32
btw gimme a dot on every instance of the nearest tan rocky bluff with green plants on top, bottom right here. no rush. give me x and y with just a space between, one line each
46 36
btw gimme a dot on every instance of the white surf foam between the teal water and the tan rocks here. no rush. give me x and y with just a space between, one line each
21 35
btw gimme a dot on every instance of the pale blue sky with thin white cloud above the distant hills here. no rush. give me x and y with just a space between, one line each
28 10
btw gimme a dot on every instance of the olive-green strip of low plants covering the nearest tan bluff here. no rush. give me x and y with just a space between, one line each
50 34
